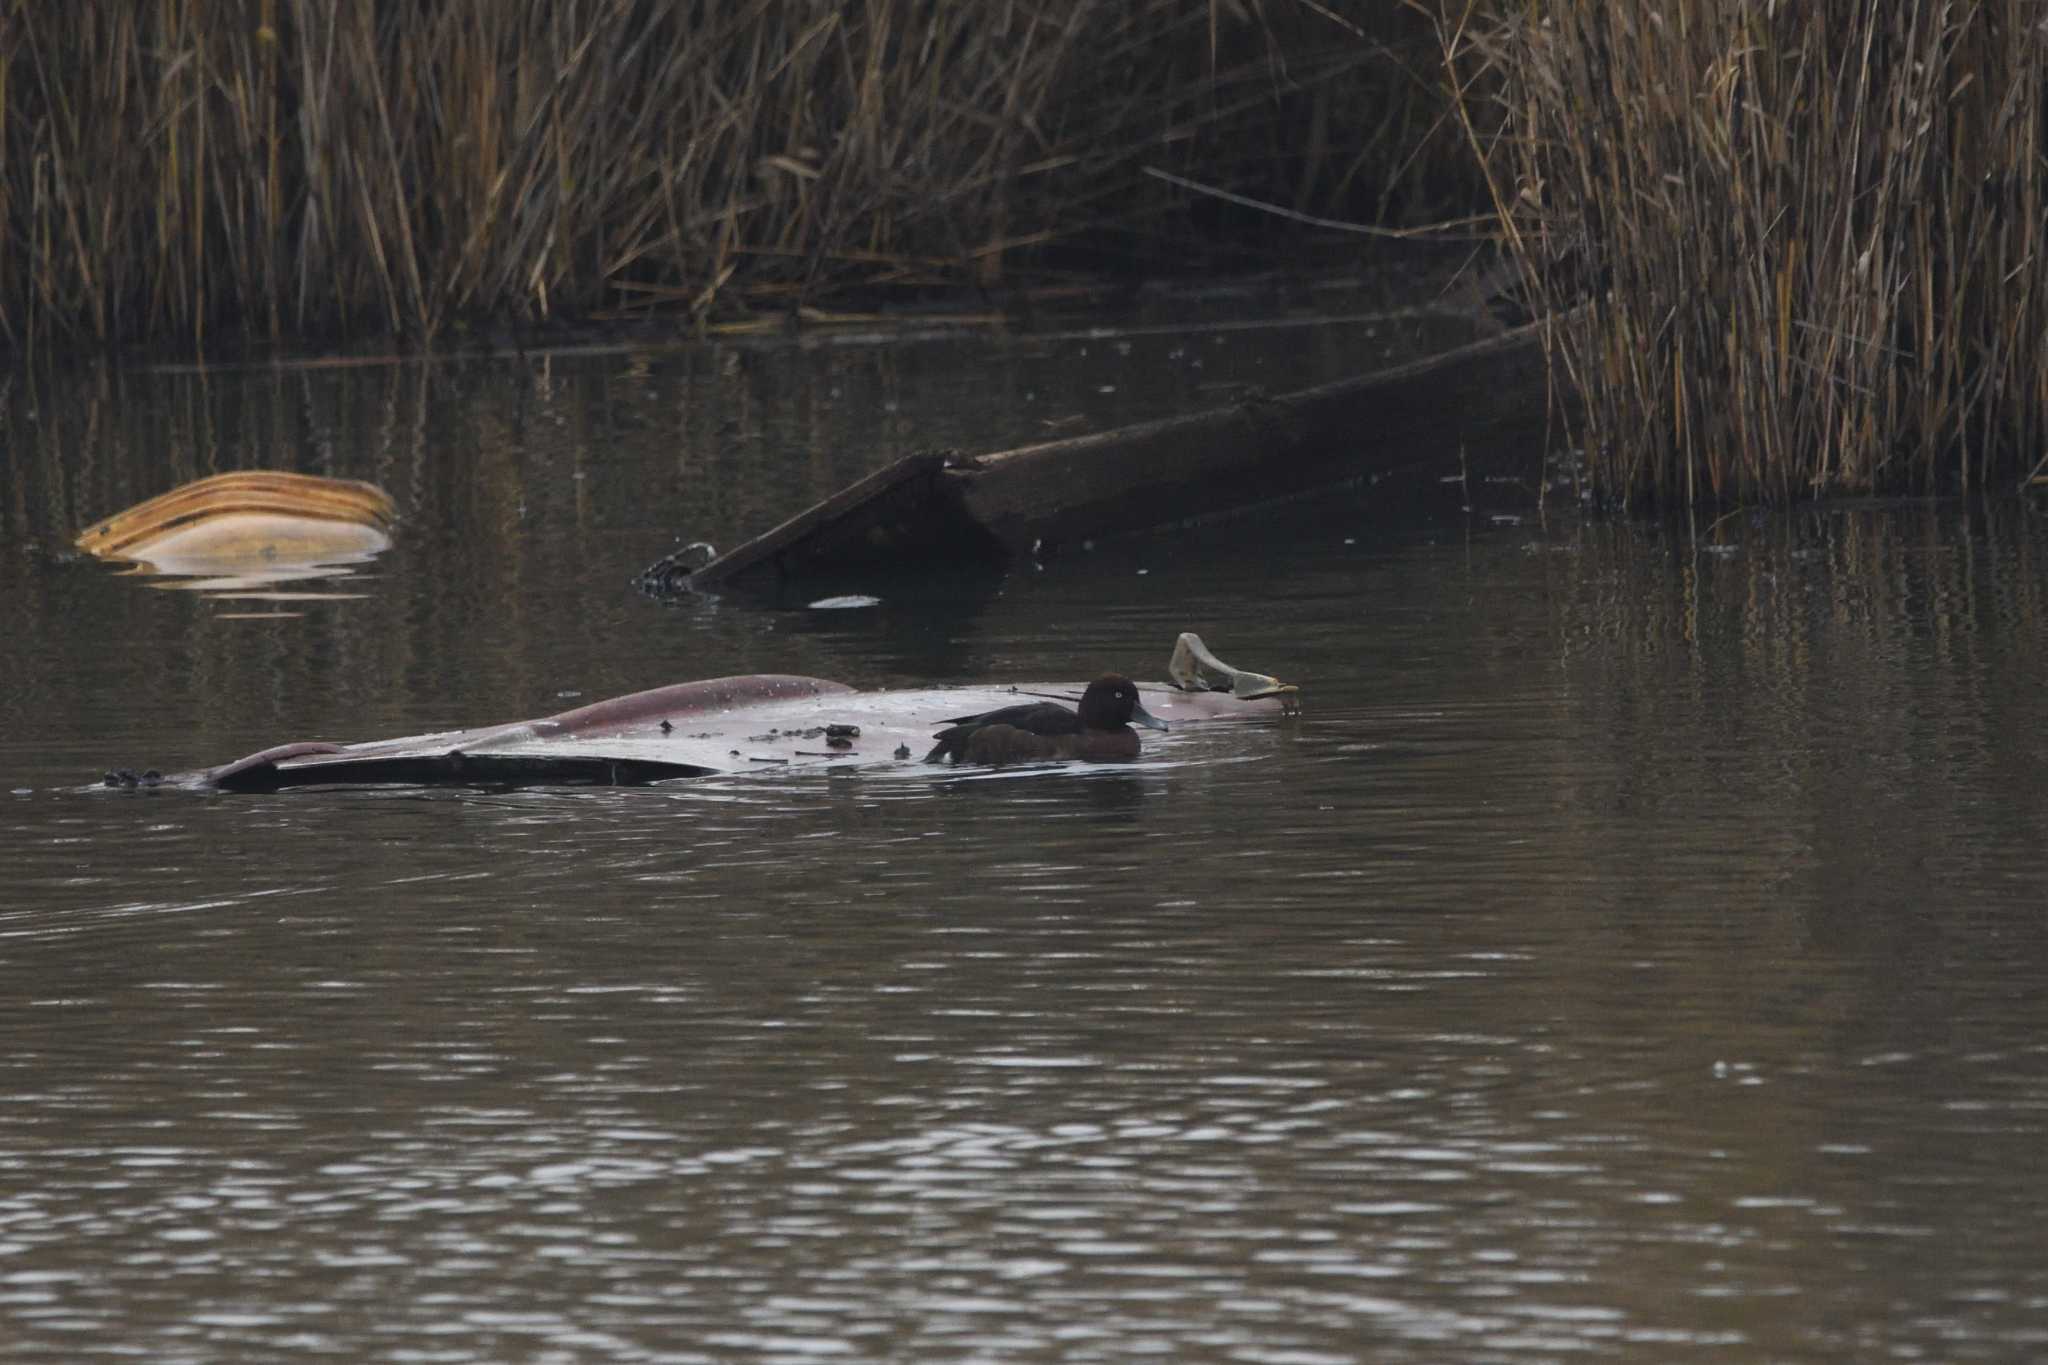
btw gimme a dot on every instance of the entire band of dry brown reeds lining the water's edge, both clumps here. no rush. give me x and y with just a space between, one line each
1781 251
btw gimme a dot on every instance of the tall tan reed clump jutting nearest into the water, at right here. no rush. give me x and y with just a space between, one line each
1783 249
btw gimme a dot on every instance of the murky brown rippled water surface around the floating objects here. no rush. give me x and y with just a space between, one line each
1635 953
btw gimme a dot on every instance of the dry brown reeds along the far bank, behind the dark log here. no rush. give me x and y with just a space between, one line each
288 169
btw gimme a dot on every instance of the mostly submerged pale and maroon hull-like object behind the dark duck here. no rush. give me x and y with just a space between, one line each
720 725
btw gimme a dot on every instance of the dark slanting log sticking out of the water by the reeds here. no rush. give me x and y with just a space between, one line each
1474 410
